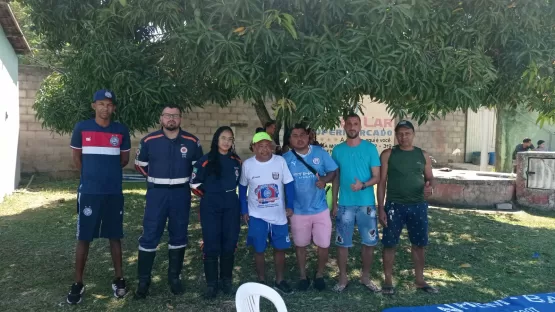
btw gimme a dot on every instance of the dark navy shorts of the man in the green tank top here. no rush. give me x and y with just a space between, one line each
415 216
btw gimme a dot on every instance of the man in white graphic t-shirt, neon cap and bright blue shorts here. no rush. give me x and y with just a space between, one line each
266 176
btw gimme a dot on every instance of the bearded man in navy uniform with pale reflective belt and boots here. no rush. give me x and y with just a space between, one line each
166 158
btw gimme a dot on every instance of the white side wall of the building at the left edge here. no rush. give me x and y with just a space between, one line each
9 117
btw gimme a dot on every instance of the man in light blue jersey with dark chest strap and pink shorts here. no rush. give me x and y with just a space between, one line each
312 168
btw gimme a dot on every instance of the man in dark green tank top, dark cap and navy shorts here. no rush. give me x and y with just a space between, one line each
406 175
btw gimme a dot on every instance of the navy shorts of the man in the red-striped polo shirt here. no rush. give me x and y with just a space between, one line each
99 215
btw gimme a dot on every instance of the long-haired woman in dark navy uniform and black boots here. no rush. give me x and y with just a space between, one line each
215 178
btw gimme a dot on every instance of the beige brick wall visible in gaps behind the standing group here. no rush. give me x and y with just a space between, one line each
43 151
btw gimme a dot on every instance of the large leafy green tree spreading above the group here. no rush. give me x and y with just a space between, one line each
313 58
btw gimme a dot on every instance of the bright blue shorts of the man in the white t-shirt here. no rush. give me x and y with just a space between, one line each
260 231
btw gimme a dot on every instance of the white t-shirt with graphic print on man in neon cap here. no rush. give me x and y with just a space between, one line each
265 181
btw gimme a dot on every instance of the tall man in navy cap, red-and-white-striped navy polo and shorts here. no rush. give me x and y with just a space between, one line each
100 151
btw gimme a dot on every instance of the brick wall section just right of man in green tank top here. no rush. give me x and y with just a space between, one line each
441 138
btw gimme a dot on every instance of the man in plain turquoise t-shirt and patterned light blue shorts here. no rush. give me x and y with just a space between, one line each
359 171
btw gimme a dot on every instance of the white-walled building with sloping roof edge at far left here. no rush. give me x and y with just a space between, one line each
12 43
